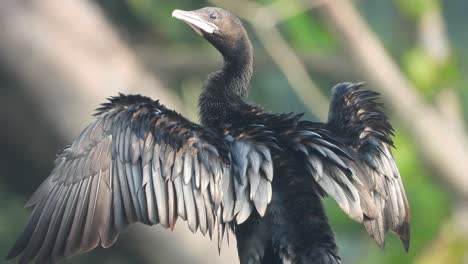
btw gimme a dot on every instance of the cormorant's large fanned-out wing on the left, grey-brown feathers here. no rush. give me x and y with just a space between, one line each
139 162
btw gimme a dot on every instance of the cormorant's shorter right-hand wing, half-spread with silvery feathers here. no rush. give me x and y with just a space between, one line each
350 159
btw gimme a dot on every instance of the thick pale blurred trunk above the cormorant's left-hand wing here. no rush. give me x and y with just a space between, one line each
71 59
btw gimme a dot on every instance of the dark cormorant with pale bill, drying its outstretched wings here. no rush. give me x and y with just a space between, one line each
260 173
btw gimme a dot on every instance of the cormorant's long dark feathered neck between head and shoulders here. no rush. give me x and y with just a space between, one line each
224 89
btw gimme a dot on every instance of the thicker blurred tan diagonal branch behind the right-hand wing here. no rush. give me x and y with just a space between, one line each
442 143
